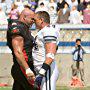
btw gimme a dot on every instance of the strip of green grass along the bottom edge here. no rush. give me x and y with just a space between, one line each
58 88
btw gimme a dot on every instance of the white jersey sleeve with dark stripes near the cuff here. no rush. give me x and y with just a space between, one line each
50 34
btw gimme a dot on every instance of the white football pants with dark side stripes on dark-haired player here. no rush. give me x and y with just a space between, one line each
53 78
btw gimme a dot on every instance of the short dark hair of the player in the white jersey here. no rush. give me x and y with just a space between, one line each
44 15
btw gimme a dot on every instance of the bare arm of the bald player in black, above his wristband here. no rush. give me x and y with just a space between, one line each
17 43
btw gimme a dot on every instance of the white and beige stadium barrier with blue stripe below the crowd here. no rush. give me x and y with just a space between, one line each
68 35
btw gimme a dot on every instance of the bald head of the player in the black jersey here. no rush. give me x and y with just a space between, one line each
26 16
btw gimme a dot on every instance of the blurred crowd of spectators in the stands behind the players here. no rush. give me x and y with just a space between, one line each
60 11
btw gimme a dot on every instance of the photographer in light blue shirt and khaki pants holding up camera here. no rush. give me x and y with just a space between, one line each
78 63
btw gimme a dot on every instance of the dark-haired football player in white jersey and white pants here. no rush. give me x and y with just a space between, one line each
44 52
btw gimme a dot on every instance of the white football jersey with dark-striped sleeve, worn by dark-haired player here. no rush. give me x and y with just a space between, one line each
47 34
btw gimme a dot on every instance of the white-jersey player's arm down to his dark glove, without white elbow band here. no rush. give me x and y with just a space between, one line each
50 48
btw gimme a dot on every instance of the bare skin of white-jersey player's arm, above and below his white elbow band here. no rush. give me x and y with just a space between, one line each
50 48
